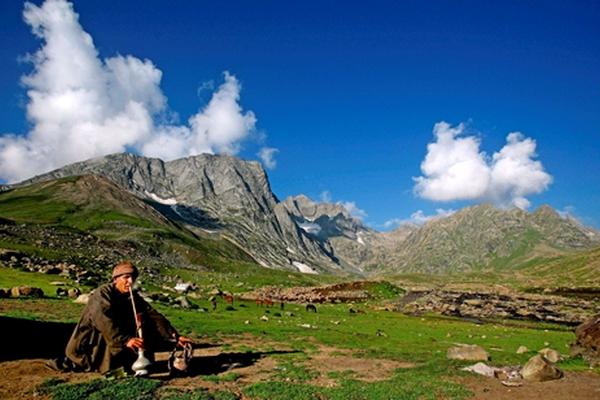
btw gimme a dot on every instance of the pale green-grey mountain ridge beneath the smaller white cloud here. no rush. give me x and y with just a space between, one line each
485 237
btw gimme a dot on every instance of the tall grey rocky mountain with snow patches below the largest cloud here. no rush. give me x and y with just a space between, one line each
219 195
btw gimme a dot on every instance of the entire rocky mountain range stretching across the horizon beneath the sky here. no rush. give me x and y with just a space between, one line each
223 197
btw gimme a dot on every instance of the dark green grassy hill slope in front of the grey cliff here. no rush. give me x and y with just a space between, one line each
93 223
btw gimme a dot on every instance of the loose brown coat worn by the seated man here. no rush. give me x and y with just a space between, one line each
107 323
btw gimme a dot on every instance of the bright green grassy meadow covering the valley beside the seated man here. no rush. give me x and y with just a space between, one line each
291 337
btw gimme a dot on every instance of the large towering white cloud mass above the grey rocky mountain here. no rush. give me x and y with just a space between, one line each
81 106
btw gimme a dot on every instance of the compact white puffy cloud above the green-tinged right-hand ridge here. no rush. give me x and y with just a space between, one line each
455 169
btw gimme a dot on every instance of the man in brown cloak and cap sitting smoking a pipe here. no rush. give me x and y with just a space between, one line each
106 336
